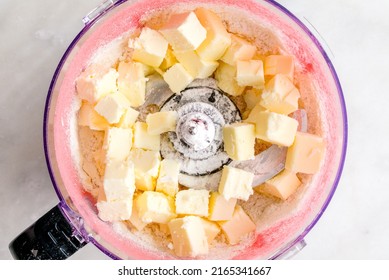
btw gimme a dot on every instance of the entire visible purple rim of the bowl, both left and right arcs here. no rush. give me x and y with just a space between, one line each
317 44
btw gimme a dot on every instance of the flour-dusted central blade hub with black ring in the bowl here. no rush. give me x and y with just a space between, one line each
197 142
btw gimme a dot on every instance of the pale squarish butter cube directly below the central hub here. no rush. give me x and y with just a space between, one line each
192 202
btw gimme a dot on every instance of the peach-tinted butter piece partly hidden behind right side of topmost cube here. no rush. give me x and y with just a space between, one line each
217 40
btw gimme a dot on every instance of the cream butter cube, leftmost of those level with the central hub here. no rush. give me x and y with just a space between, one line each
117 143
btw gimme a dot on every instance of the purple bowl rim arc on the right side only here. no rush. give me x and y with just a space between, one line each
345 128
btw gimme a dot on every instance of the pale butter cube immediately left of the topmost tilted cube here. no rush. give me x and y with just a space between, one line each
150 48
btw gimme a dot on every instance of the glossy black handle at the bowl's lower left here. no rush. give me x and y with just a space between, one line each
49 238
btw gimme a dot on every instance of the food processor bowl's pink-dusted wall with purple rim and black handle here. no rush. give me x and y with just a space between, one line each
76 210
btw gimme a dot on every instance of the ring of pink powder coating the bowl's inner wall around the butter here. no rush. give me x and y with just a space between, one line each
274 235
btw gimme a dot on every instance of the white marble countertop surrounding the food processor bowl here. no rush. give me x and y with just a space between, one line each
35 34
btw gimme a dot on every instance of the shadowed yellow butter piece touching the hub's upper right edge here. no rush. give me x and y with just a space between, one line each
226 79
